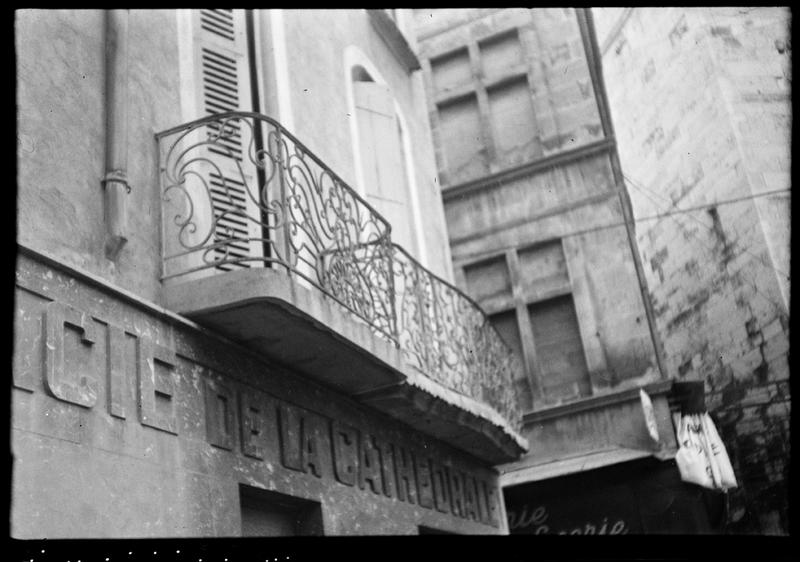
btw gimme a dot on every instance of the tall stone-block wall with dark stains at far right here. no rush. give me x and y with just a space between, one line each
701 103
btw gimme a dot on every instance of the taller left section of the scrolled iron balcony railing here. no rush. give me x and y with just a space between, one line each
235 205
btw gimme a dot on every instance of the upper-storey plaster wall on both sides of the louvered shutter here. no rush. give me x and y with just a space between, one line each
61 124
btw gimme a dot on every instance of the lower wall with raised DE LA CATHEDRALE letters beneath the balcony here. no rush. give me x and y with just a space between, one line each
130 423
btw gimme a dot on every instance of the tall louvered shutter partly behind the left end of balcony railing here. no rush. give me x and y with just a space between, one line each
222 73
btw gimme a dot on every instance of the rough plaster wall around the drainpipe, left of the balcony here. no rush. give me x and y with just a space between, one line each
62 138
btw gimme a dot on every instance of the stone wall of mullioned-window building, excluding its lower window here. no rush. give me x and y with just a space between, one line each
573 201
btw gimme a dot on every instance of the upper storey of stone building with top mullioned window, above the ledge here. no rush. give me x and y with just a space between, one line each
552 94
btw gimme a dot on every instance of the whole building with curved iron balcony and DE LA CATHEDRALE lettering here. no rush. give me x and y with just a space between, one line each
214 333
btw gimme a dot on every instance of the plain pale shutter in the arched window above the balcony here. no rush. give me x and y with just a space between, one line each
382 159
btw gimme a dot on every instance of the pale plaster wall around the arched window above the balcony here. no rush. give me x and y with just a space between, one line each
319 101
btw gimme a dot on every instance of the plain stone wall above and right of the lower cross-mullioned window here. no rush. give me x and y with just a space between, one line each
577 204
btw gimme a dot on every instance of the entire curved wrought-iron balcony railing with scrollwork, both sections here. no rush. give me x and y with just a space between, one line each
240 191
